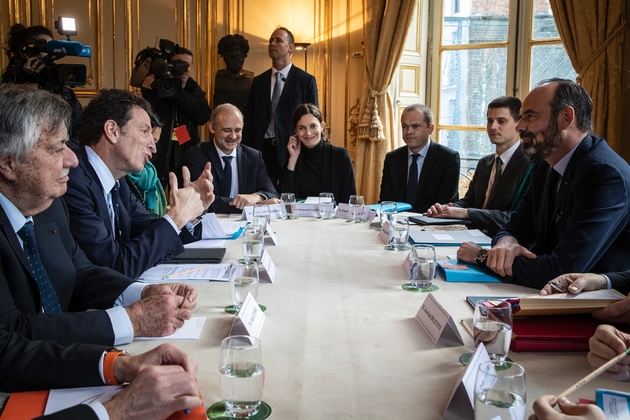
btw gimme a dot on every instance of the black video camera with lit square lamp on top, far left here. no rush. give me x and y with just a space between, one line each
52 76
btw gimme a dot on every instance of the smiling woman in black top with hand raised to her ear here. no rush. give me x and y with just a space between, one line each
314 164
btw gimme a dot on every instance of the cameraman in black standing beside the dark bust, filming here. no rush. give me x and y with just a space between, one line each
176 98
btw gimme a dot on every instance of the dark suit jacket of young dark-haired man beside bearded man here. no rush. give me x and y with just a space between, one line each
501 198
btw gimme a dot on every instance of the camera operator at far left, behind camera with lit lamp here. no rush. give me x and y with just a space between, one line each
30 64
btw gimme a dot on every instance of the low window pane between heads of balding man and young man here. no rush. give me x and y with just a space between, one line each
471 145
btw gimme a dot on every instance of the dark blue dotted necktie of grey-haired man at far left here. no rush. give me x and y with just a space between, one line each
47 293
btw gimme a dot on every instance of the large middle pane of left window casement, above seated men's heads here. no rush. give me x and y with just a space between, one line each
470 79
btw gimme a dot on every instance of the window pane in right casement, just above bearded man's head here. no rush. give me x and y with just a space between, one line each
550 61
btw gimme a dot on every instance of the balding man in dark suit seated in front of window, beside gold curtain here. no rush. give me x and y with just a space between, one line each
422 172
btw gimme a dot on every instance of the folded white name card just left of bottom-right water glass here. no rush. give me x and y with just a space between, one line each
461 404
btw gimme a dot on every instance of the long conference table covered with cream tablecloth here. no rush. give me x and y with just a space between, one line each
340 339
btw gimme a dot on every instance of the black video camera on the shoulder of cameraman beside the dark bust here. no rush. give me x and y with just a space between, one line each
168 82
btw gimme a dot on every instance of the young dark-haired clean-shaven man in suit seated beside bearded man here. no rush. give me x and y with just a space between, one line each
492 191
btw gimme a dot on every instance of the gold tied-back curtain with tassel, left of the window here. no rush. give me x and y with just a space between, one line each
385 25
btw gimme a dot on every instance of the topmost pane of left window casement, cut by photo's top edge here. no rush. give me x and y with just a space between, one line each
472 22
